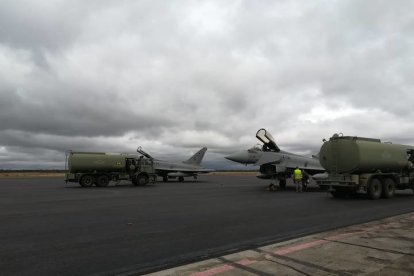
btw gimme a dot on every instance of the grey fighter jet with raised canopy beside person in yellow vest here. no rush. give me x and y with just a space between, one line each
275 164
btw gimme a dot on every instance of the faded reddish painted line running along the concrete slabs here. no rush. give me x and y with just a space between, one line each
298 247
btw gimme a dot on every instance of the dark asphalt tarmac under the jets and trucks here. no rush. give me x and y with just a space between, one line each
49 228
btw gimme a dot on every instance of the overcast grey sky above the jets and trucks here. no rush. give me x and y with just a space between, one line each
174 76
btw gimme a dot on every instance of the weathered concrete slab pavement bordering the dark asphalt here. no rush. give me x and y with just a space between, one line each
288 254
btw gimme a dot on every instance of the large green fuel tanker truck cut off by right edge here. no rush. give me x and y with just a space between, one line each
365 165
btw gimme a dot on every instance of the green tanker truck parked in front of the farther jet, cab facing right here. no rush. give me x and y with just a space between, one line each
95 168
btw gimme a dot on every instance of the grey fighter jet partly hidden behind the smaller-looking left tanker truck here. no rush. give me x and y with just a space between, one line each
188 168
